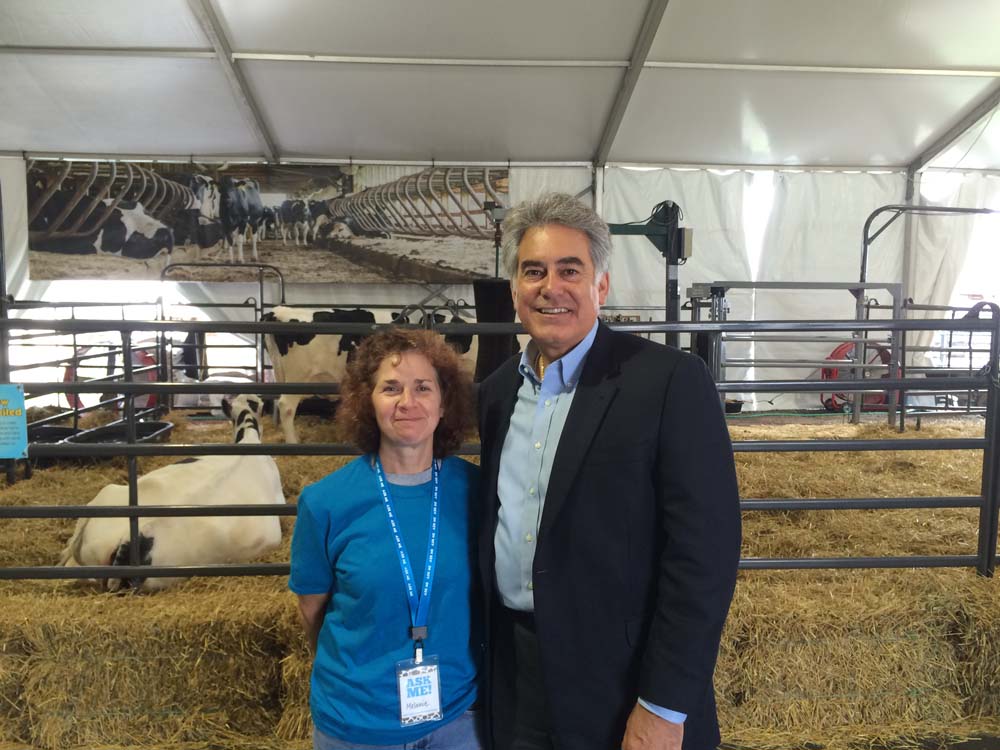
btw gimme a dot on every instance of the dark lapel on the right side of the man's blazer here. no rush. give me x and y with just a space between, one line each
594 394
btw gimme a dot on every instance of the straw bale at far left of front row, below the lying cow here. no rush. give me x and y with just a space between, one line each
146 670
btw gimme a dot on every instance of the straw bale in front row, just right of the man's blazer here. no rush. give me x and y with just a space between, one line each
857 654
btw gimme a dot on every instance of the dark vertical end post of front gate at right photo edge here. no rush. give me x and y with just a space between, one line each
988 512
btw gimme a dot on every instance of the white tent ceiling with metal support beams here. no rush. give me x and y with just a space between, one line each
859 83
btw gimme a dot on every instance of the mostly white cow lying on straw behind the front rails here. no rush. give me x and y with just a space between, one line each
202 480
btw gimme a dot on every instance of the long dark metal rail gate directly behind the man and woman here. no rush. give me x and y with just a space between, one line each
987 502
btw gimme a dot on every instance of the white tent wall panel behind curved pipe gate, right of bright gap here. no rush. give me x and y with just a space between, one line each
815 234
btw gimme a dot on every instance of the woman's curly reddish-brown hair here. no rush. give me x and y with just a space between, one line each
356 421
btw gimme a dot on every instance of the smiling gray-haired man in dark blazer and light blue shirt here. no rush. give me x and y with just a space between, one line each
611 525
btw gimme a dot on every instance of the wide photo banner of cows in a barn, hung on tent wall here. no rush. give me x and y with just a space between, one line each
323 224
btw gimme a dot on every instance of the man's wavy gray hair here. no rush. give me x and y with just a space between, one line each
556 208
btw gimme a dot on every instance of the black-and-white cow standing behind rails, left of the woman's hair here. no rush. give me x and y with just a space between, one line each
307 358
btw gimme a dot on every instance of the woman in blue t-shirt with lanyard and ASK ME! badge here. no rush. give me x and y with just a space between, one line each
382 556
